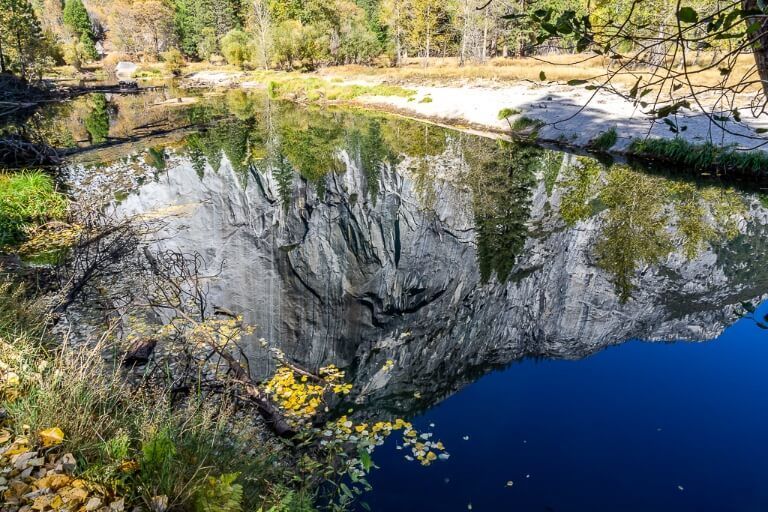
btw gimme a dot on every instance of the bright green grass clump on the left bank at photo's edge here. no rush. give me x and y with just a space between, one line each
27 199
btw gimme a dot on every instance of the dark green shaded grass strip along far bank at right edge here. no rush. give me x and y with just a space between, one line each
703 157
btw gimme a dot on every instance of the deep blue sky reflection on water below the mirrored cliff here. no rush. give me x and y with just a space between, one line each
638 427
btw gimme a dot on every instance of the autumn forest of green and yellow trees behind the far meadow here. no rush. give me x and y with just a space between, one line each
292 34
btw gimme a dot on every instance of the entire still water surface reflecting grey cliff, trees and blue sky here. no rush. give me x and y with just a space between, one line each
507 285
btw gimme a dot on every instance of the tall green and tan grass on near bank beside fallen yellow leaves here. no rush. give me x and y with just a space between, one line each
131 440
